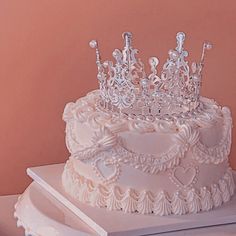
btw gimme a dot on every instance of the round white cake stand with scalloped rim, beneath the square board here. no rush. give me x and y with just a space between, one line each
40 214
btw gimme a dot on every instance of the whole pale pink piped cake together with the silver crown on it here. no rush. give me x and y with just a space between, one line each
150 145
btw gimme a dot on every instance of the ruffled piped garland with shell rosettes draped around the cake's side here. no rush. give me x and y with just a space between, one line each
187 138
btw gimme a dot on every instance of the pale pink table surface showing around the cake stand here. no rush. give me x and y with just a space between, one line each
8 223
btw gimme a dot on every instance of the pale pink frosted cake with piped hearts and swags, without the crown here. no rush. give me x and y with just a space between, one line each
173 166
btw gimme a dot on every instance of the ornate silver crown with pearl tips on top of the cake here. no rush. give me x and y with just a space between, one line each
125 87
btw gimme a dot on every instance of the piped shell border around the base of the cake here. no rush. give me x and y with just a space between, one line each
130 200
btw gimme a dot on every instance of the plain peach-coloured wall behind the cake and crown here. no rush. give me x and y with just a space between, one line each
45 62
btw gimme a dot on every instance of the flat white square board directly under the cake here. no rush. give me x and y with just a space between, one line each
115 223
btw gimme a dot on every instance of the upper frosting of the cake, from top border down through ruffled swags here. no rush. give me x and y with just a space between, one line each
177 138
